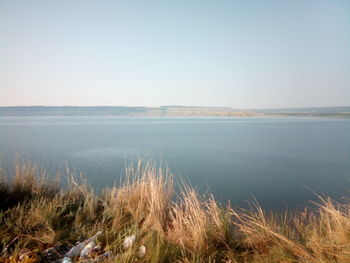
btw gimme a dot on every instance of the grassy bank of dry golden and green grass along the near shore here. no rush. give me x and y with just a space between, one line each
36 215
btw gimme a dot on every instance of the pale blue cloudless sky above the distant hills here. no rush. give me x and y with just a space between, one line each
242 54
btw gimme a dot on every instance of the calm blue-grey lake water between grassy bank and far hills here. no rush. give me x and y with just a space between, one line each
276 160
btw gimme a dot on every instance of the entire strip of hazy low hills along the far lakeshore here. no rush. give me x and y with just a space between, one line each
164 111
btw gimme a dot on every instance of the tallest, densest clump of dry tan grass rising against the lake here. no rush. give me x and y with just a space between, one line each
145 196
